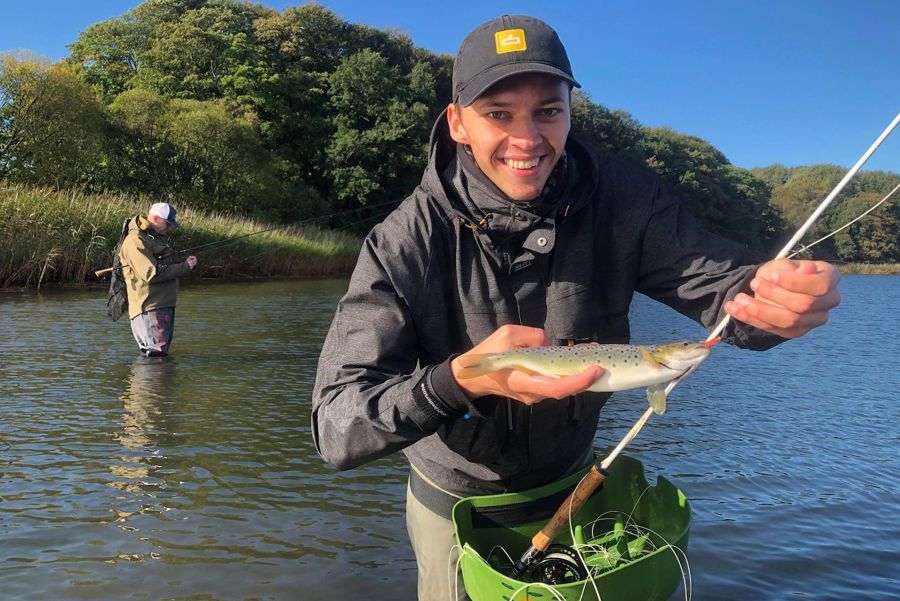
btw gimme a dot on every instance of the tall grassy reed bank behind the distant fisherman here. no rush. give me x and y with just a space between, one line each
52 237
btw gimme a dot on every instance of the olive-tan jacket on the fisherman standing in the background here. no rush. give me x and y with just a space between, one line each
150 267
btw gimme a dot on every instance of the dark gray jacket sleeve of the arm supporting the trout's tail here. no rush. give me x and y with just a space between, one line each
371 396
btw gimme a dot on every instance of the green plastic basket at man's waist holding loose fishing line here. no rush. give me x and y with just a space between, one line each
633 538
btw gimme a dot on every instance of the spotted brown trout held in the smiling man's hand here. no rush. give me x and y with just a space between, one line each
624 365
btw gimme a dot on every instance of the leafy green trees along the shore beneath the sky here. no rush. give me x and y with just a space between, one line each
287 115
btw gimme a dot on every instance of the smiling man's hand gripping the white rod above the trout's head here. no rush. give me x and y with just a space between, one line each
789 297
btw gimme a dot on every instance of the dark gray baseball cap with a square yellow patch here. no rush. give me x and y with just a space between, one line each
503 47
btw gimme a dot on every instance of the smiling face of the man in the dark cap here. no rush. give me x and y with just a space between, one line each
517 131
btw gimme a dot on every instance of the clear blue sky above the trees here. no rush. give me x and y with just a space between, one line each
795 82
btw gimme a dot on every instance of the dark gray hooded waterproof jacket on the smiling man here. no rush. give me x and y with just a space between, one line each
453 263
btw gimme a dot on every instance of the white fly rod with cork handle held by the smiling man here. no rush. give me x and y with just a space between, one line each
599 471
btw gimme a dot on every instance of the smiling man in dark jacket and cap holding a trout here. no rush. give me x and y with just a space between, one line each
519 236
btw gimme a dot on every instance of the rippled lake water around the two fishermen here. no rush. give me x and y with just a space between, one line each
197 478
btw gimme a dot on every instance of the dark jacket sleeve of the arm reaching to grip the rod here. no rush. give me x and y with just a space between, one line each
695 271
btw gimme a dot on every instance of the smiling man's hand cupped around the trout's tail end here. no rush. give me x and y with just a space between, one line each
528 389
